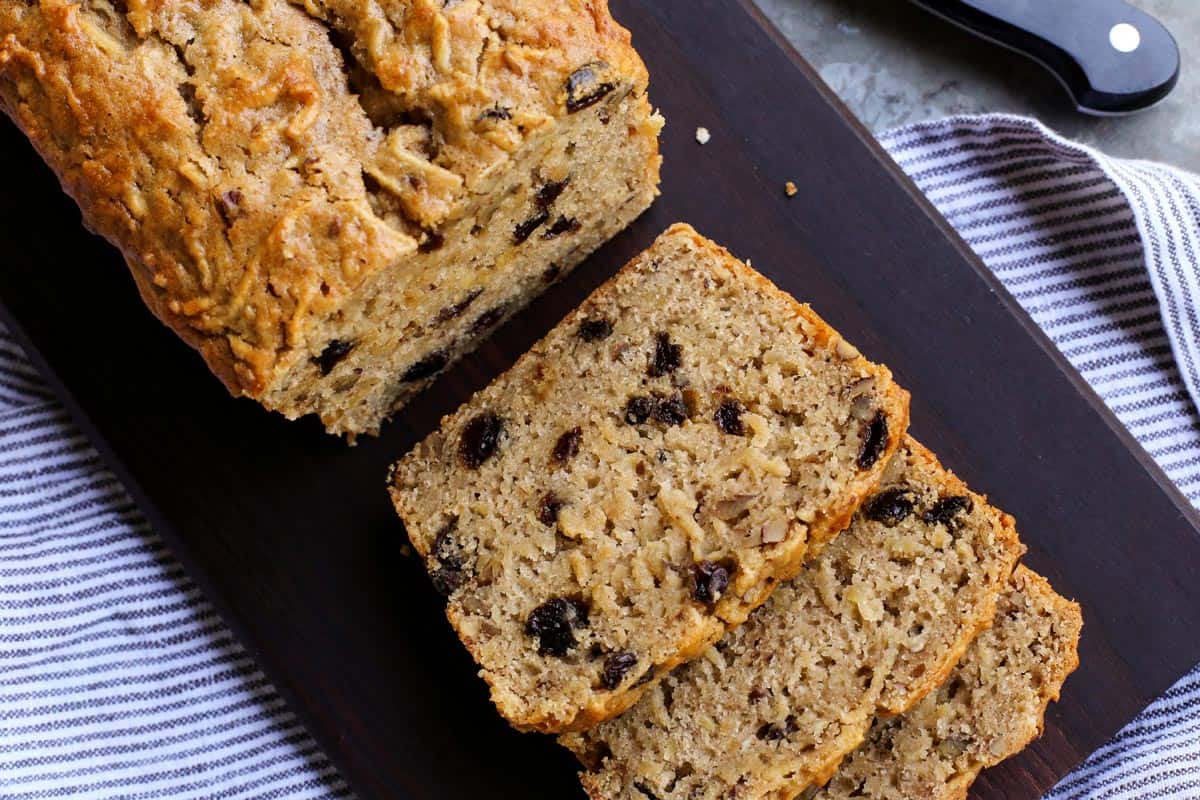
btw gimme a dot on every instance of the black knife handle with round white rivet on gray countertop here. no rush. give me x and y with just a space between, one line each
1113 58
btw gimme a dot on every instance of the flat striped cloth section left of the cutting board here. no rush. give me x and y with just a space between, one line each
117 678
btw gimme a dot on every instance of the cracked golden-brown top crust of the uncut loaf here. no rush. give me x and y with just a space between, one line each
256 161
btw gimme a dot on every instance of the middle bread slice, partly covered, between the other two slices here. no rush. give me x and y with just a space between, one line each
878 622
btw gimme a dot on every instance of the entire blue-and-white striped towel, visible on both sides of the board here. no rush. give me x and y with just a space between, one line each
119 681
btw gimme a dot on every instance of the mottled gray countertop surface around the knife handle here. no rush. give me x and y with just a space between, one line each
893 64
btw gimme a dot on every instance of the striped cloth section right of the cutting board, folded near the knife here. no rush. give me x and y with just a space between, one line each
1106 256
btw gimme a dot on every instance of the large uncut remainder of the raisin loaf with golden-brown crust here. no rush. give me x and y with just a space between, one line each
331 200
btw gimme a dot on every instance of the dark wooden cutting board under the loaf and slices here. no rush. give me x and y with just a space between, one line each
292 534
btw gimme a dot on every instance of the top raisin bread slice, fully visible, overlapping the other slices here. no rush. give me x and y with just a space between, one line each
637 483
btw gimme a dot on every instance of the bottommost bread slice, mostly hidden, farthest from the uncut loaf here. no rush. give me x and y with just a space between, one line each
991 708
